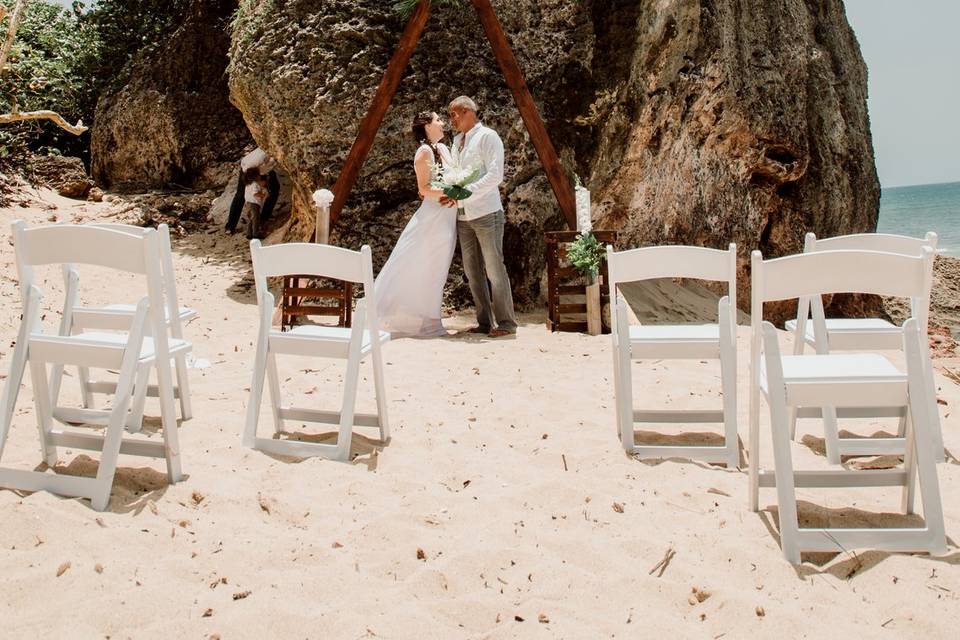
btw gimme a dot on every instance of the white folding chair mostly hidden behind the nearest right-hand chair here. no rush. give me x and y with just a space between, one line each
827 335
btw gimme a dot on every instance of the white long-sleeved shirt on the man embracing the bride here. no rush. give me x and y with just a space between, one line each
482 148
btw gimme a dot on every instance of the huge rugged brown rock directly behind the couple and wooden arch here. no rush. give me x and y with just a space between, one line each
697 122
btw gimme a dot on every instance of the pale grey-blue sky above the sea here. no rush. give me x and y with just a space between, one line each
912 51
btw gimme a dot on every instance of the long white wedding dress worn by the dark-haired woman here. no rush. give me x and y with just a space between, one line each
409 288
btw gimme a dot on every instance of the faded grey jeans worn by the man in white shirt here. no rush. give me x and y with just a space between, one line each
481 243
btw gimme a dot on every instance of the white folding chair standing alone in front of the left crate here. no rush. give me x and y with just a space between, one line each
352 344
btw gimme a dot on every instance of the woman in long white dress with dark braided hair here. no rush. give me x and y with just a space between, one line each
409 288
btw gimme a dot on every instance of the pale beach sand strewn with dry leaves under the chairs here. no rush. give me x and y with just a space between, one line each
474 477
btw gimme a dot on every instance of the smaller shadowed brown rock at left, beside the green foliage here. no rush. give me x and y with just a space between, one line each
172 123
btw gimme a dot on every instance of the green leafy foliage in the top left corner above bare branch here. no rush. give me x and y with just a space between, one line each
63 59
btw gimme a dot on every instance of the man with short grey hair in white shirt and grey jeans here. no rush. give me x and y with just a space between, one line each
480 220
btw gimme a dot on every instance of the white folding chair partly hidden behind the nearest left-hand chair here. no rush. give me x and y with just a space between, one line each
117 317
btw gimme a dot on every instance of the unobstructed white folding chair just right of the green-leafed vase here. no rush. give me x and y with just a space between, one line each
714 341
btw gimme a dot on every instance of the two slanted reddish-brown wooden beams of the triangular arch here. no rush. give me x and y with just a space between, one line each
515 81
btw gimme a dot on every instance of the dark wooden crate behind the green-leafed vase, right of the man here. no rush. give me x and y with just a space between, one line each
567 315
